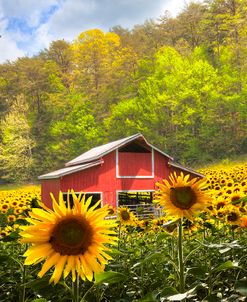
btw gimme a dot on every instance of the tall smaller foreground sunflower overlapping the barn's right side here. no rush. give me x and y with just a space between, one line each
182 197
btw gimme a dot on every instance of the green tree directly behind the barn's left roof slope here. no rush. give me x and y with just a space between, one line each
75 132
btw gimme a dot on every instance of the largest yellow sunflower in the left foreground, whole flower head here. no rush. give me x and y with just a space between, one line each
70 239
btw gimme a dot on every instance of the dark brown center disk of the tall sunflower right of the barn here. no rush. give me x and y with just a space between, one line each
183 197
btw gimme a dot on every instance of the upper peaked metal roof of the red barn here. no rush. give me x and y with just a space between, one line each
98 152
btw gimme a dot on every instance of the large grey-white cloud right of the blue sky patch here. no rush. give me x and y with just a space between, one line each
76 16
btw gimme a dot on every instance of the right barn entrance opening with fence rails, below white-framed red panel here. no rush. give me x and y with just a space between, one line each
141 203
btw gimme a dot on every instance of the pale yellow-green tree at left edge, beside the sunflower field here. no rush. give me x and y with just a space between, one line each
16 157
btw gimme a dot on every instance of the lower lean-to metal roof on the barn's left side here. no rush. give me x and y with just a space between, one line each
69 170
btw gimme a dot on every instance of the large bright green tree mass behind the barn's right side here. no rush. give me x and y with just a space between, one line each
183 107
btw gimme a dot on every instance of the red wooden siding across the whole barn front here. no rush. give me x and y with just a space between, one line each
102 178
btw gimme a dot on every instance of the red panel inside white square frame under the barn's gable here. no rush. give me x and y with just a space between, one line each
134 164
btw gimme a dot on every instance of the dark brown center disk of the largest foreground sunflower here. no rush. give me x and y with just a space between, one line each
71 236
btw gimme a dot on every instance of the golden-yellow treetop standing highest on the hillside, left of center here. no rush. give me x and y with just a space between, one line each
102 68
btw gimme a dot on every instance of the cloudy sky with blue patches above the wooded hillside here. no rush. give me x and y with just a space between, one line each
29 26
